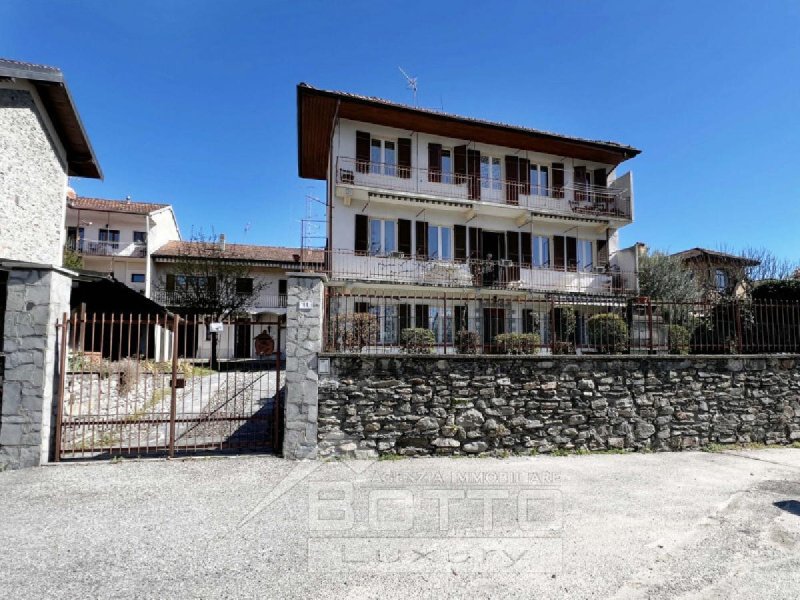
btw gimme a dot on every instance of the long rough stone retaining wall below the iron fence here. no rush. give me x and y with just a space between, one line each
415 405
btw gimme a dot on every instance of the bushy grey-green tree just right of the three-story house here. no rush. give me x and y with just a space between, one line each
664 277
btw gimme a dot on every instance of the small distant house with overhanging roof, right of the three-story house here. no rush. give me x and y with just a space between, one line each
717 273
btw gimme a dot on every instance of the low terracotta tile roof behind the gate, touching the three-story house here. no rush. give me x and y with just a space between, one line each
246 252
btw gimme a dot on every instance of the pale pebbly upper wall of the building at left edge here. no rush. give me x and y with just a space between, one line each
33 181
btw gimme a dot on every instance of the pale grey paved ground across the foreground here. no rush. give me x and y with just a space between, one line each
688 525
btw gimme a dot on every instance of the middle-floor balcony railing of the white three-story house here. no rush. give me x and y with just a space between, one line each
343 265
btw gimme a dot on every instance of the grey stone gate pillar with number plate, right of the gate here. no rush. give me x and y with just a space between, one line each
304 313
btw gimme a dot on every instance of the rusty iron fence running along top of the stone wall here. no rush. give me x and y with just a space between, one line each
454 323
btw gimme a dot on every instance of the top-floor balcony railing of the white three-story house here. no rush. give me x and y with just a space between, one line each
613 202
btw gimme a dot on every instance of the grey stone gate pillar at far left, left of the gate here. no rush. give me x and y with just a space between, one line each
35 300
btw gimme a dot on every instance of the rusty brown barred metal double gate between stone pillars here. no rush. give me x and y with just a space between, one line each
141 385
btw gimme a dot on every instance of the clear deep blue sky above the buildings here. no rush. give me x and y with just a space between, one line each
192 102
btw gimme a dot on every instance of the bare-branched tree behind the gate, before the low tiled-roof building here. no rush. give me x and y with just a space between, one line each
208 279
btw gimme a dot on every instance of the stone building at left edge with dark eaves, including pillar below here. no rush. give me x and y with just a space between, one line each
42 142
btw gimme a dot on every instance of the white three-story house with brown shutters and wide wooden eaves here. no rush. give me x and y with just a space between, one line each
425 204
